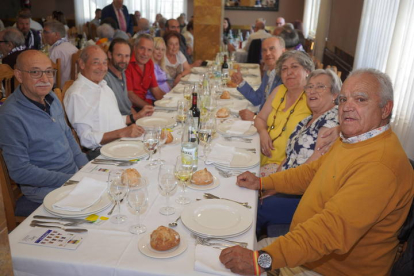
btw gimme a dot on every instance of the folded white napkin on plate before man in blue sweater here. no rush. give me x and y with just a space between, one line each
86 193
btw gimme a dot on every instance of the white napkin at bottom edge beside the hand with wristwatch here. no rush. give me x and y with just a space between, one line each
207 260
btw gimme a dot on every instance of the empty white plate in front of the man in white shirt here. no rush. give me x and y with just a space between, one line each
124 150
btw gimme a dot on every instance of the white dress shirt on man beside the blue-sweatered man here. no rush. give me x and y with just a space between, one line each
92 110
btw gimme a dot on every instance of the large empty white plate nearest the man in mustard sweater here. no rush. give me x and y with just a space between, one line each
216 217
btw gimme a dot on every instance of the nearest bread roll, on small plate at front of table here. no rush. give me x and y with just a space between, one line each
164 238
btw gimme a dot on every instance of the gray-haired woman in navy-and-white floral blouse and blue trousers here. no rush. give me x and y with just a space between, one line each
322 88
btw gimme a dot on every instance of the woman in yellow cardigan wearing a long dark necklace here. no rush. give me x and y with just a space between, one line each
284 109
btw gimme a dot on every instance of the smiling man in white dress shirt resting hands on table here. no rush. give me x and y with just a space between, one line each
91 105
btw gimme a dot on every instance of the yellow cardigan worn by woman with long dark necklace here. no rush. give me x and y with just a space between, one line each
301 112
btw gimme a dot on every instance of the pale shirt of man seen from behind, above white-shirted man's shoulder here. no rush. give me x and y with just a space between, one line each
64 50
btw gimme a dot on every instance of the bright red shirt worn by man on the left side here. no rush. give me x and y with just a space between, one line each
139 82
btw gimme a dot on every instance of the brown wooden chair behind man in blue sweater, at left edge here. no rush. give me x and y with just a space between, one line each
11 193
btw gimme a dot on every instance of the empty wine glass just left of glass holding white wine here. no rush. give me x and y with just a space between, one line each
167 184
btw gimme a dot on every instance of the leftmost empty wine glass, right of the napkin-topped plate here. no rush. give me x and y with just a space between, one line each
117 189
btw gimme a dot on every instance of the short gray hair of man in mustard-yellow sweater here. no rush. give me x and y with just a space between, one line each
384 81
